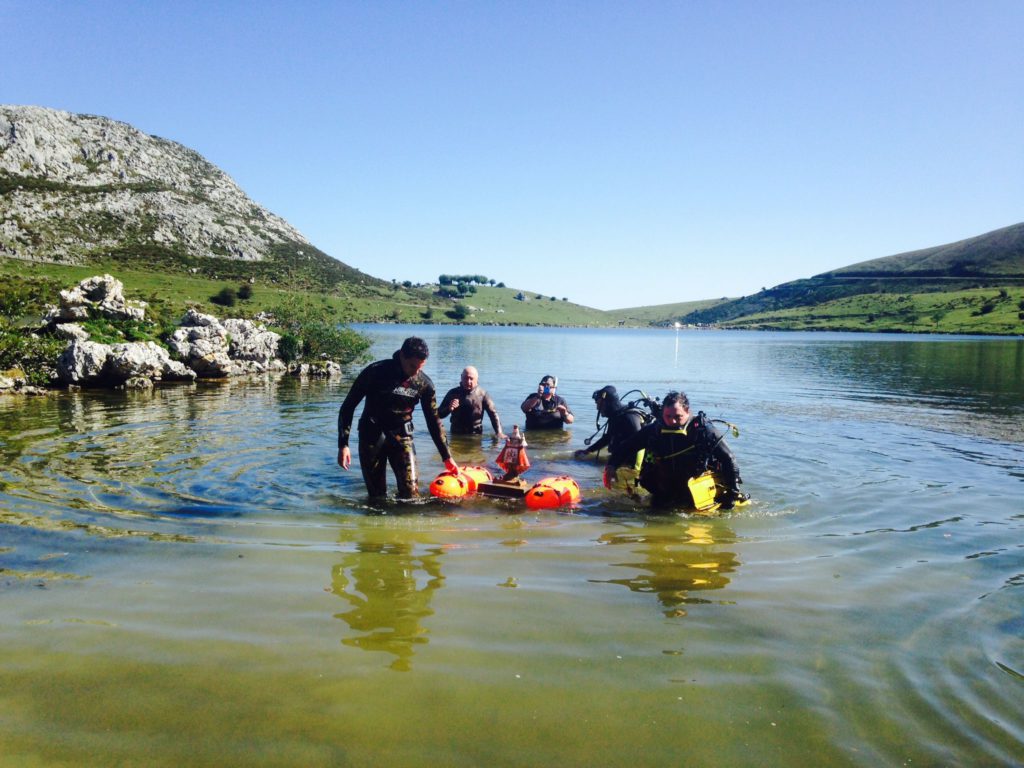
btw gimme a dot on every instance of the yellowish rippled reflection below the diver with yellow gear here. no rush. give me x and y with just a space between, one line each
677 560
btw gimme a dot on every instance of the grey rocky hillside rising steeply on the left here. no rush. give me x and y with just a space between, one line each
75 189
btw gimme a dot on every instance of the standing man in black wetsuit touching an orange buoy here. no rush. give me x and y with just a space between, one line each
392 389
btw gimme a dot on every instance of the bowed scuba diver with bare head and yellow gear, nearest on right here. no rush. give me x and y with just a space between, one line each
676 448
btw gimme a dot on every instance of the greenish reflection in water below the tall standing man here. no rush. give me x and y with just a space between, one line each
390 586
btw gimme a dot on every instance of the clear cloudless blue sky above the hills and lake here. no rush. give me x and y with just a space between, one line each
615 153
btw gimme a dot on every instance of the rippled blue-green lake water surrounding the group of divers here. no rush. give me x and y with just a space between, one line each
189 579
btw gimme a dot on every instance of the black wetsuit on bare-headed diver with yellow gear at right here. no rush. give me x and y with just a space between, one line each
673 456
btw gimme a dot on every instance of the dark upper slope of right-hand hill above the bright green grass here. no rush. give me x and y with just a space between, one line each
997 258
